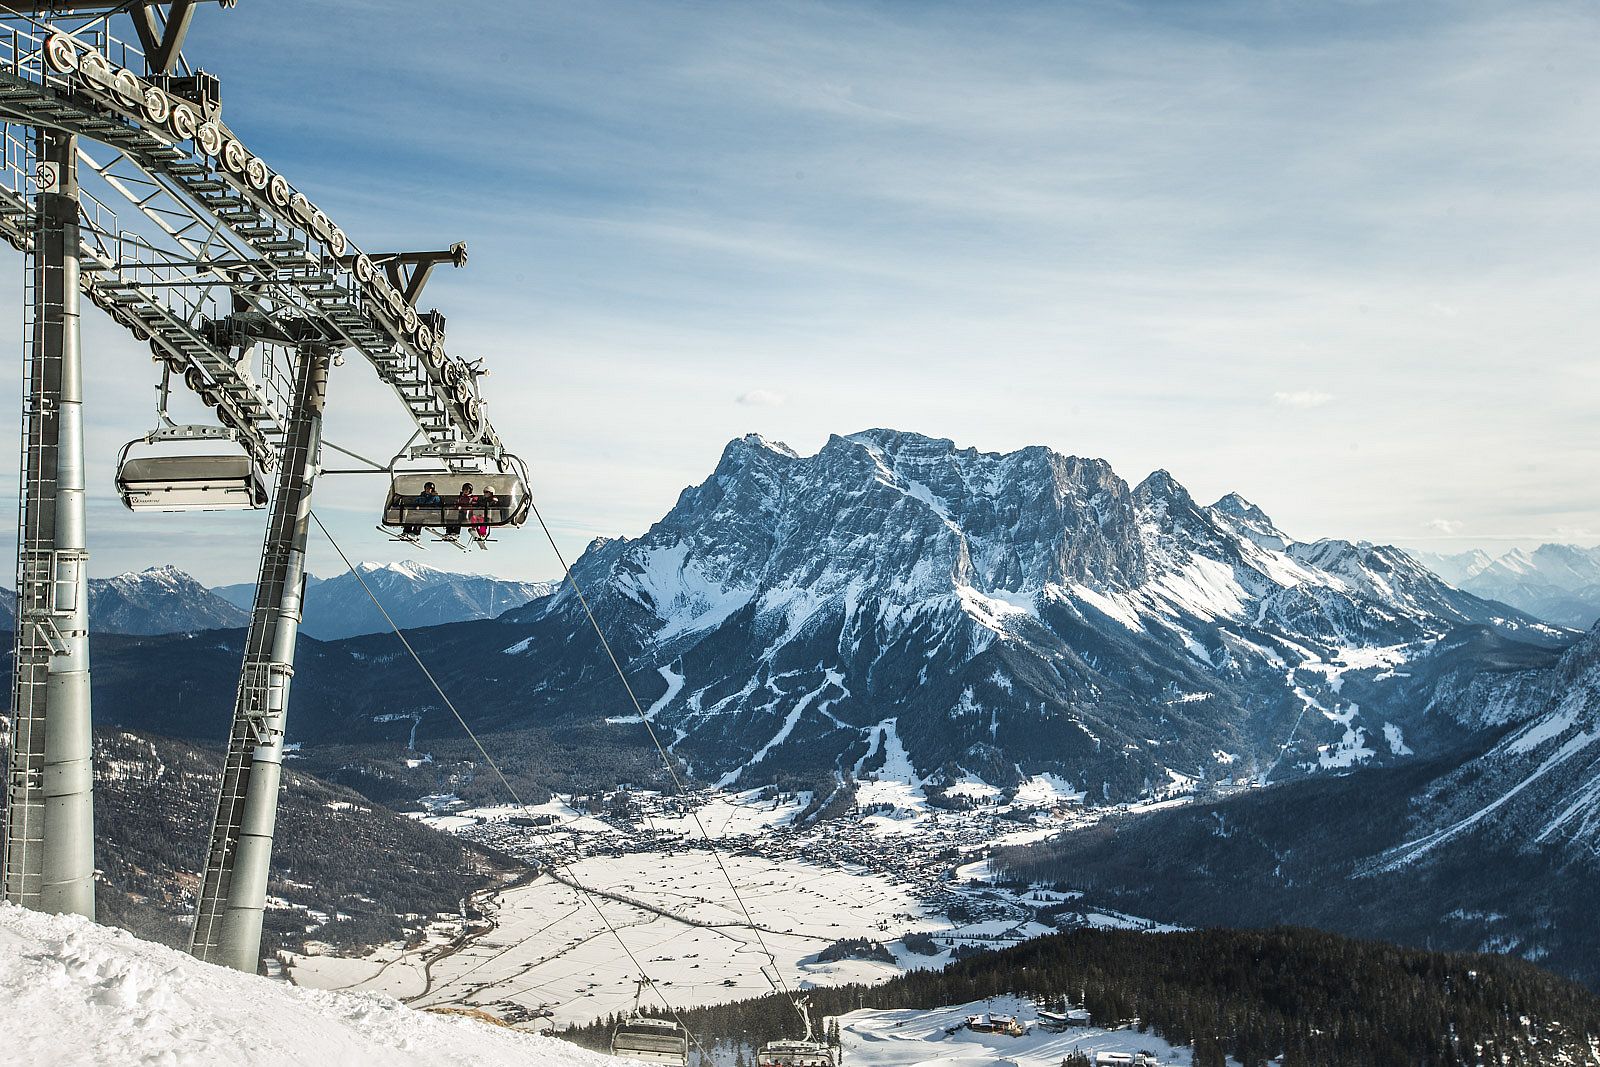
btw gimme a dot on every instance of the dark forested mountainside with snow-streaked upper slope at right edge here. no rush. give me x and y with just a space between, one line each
1489 849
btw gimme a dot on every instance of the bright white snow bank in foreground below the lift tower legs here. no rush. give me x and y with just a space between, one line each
73 993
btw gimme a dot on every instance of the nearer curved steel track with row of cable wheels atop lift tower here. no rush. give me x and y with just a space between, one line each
244 207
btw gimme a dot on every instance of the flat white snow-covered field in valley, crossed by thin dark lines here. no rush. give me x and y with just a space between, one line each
553 951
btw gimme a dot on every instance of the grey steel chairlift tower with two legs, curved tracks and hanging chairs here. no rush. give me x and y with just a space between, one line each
119 180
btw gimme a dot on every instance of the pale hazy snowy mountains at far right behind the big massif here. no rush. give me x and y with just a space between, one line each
1559 583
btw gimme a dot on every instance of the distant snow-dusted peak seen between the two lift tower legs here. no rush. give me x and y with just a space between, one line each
154 601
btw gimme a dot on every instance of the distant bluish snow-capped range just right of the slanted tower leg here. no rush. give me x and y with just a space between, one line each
412 593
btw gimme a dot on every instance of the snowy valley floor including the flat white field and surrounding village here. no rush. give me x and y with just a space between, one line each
546 951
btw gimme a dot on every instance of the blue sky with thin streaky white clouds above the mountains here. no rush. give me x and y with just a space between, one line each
1334 257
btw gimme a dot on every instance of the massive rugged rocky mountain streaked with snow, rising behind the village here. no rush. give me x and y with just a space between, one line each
1001 617
